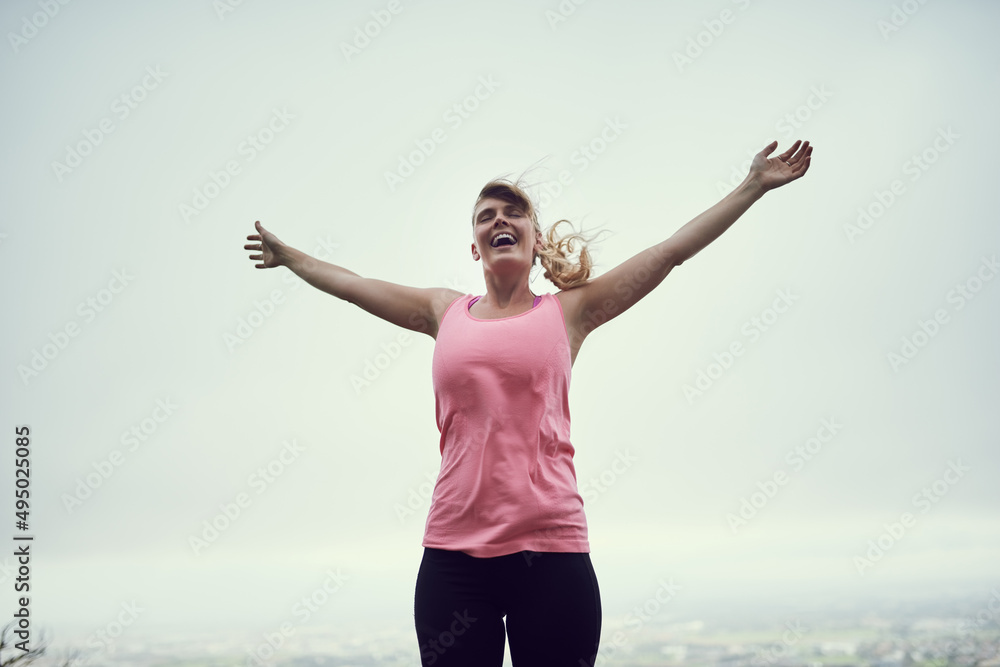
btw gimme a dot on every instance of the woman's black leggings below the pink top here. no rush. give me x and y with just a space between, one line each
551 602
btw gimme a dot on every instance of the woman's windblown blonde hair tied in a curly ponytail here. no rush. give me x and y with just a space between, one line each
556 256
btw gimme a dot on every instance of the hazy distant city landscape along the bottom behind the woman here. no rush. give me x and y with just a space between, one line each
963 633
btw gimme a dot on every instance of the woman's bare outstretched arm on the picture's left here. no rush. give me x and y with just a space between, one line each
414 308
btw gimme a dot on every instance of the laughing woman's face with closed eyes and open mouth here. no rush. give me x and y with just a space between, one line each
503 233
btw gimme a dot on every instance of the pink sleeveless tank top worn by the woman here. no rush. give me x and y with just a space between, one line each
507 481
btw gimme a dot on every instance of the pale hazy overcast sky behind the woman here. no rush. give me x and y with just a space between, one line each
180 326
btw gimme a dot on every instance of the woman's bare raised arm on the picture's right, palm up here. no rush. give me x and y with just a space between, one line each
602 299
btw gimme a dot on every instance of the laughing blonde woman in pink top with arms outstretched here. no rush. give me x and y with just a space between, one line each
506 536
